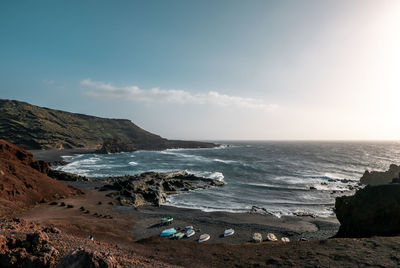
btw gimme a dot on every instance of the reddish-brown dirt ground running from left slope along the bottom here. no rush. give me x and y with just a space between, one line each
116 234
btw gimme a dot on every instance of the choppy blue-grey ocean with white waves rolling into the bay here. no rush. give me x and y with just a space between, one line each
275 176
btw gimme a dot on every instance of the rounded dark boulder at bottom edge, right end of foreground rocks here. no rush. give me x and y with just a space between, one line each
83 258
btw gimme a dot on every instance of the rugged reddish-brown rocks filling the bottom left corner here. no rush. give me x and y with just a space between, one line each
26 244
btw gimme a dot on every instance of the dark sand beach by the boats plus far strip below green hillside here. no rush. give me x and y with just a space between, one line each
294 227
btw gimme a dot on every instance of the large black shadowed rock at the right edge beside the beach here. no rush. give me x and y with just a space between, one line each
372 211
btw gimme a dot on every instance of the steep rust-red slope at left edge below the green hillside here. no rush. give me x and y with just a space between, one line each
23 181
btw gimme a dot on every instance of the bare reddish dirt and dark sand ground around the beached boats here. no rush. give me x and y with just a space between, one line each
131 236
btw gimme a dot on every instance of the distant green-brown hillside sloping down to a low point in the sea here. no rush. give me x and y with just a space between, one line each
33 127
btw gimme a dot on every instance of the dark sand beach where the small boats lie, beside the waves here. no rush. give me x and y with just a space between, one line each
147 219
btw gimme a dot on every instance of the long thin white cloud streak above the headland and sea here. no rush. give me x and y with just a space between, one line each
156 95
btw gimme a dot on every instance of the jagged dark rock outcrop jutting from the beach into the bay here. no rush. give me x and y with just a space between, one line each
152 188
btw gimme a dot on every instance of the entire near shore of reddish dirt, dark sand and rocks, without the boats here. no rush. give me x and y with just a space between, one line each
90 229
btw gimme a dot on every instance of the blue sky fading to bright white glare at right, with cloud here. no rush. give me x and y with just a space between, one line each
211 70
